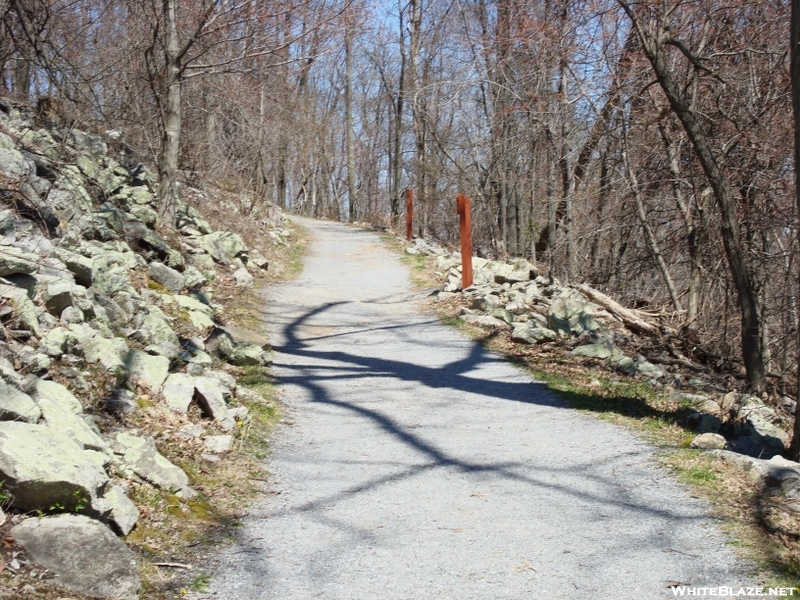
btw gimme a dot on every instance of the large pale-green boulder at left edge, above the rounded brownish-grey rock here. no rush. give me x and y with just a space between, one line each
43 467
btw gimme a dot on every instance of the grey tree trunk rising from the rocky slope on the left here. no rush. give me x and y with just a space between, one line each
171 141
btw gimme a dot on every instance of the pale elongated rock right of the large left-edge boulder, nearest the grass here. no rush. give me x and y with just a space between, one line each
143 458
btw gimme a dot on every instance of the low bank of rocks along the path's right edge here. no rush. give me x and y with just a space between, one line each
517 298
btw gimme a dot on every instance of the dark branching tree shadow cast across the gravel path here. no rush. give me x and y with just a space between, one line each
300 361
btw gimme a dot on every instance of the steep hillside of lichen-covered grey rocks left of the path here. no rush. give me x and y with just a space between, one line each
98 315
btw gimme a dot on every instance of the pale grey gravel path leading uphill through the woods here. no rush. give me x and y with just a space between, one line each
417 465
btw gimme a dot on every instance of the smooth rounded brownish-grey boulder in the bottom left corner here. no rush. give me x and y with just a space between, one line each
84 554
